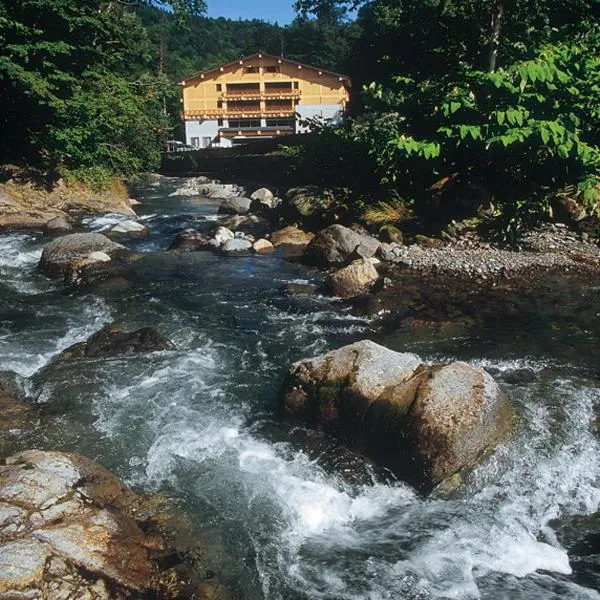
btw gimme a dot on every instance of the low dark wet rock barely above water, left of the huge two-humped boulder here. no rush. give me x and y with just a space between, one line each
111 341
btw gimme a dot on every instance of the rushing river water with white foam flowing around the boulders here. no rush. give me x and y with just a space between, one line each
282 512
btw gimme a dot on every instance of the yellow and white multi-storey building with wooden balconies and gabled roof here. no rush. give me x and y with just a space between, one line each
260 96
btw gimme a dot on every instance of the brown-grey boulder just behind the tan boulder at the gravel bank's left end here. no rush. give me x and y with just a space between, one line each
337 245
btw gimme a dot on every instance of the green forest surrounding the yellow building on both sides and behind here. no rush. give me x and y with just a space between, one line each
498 95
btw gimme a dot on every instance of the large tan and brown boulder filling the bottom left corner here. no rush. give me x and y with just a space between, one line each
70 530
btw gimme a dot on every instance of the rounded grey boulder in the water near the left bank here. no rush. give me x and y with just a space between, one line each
61 254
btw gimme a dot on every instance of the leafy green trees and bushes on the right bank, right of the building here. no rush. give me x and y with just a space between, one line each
434 104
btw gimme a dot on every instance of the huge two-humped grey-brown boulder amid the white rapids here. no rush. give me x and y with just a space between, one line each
428 423
